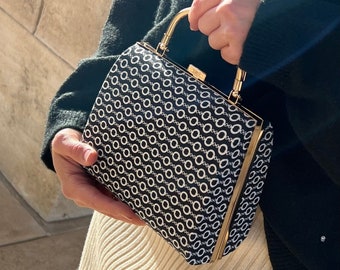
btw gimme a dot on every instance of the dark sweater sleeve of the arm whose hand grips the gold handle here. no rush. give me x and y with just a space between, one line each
294 45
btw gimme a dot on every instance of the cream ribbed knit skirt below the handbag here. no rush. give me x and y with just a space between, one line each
112 244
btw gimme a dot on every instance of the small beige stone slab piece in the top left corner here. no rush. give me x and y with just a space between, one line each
26 12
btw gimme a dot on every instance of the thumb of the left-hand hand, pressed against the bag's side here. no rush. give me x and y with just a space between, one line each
67 143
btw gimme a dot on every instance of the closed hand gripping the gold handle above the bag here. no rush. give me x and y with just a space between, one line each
226 23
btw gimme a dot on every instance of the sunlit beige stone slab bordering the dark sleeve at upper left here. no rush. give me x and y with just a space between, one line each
72 28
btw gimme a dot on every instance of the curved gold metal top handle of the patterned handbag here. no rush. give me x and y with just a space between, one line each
162 48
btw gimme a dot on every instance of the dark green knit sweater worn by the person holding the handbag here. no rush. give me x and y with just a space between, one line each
292 54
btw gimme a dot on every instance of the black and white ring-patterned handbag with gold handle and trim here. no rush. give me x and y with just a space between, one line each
189 160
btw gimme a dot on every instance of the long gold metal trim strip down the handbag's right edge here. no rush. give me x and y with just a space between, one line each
224 232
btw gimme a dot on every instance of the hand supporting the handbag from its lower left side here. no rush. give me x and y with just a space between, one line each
69 155
